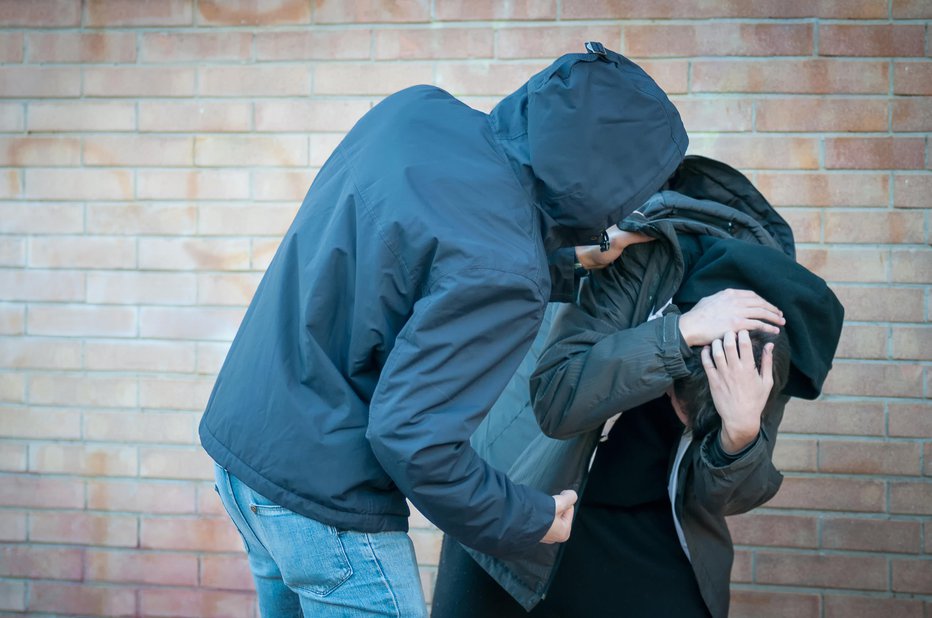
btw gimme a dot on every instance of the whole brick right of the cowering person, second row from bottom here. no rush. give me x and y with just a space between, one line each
855 572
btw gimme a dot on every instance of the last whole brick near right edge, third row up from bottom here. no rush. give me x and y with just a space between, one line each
879 535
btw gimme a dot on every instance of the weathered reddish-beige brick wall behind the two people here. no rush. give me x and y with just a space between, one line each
152 154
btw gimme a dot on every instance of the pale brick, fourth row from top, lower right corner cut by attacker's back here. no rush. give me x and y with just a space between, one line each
326 115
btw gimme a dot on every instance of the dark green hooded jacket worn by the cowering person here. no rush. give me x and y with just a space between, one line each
604 356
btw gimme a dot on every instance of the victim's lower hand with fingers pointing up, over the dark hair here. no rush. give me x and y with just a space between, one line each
738 390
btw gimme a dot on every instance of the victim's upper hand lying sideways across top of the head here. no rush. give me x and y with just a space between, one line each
728 310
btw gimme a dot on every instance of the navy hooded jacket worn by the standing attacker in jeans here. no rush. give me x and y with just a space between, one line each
410 286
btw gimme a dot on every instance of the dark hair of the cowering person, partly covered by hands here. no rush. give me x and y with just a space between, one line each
694 396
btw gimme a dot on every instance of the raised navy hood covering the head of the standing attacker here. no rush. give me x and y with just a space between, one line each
590 137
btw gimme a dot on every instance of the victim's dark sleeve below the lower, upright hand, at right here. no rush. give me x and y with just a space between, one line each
746 483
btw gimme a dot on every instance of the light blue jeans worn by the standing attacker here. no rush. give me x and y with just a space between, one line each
306 568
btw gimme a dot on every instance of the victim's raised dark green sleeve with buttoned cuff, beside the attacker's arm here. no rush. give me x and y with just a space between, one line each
594 365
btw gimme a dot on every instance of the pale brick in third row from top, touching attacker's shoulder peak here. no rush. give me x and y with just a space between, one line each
378 78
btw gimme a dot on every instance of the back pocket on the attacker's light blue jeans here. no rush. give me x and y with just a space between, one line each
309 553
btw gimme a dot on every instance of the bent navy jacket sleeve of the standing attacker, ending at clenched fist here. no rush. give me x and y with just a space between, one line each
455 355
